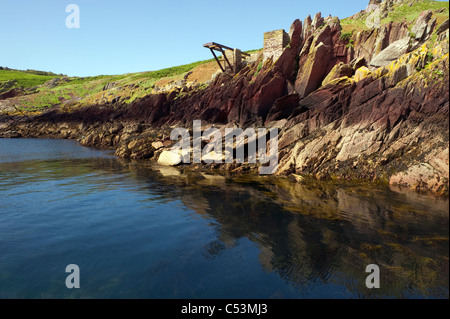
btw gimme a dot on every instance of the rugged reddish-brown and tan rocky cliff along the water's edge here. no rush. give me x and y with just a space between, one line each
371 103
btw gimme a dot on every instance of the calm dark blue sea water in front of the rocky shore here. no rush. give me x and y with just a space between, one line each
137 230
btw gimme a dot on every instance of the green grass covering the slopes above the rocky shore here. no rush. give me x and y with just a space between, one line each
90 89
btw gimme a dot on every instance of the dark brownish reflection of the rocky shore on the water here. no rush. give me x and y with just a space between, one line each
311 234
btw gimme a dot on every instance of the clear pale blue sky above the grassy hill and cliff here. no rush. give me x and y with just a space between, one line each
125 36
